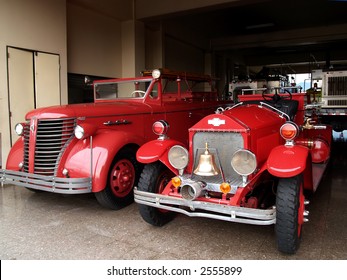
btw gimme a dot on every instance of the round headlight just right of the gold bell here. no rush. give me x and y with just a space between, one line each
244 162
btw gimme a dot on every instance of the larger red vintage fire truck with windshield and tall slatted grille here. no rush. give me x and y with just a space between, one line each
83 148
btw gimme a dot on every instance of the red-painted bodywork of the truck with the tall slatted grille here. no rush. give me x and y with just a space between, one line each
111 124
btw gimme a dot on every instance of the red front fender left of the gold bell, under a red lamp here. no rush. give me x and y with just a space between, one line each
157 150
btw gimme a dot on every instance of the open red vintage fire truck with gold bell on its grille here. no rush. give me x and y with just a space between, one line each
251 163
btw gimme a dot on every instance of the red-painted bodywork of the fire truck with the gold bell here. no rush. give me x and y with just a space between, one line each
259 128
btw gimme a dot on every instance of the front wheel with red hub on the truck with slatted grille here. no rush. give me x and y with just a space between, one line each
123 175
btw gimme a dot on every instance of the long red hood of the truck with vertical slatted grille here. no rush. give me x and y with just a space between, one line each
89 109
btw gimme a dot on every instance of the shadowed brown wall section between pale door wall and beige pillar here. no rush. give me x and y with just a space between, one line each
94 43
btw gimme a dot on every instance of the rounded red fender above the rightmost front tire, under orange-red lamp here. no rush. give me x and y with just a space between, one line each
287 161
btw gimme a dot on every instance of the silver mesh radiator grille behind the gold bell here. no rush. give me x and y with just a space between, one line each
223 145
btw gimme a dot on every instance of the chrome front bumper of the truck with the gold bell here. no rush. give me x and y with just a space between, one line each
215 211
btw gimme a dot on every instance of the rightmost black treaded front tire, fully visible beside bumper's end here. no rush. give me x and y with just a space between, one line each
289 214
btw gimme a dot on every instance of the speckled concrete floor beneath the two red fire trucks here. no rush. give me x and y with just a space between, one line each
40 226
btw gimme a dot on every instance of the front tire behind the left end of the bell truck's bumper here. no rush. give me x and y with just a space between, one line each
154 178
